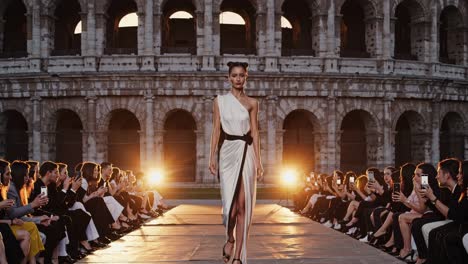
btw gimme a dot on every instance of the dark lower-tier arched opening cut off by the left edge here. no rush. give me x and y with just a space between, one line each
13 136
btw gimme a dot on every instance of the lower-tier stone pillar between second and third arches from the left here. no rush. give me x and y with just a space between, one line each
91 140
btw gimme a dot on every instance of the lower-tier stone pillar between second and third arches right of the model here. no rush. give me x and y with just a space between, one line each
387 132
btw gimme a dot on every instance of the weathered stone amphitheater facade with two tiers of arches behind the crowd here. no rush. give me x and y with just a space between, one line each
353 83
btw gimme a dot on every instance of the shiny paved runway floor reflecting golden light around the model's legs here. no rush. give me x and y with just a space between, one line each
194 233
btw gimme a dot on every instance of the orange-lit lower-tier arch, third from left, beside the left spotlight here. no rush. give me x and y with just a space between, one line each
123 143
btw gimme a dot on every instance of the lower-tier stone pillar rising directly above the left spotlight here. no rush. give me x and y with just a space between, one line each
149 132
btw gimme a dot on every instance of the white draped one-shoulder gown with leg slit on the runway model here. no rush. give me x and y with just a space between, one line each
235 120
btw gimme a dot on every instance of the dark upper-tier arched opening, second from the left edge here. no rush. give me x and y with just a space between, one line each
67 16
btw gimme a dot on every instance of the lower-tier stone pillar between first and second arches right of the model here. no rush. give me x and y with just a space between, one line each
331 136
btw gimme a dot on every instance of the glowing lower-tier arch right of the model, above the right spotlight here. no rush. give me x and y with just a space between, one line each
298 141
